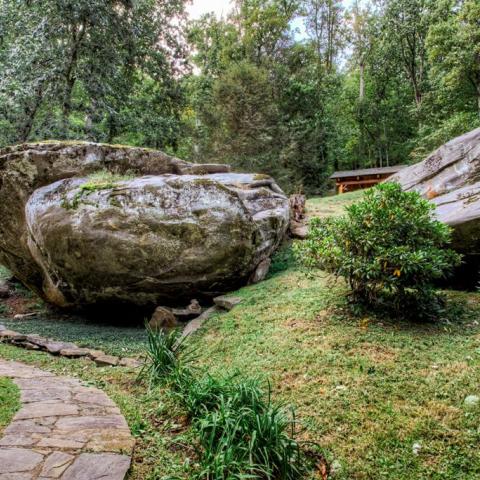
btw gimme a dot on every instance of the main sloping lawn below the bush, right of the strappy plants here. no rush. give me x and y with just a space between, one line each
366 389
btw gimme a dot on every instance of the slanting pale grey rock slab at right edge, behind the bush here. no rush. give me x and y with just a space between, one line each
450 178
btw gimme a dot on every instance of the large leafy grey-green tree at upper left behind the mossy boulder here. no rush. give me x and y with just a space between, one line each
69 67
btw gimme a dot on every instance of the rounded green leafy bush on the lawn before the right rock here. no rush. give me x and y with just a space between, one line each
388 247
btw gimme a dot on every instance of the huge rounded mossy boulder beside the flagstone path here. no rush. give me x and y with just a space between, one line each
149 229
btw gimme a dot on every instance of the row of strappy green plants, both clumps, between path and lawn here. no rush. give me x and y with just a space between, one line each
241 432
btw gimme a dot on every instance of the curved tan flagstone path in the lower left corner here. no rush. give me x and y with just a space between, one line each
64 430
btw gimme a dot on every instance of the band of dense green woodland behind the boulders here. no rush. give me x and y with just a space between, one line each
293 88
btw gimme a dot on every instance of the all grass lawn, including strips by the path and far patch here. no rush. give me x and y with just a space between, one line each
384 399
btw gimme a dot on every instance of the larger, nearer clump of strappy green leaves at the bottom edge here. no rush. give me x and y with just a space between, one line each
244 435
